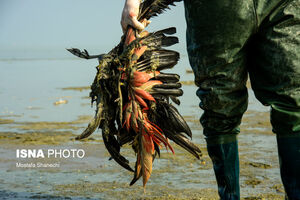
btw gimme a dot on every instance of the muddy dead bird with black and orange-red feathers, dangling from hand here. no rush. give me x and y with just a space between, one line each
133 95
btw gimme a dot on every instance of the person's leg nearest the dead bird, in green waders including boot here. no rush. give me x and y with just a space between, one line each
217 32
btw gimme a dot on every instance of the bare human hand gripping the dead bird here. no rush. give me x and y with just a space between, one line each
130 14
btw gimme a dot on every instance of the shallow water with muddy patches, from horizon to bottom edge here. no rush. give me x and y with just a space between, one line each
29 119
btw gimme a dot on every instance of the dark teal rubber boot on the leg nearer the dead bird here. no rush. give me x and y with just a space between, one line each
223 151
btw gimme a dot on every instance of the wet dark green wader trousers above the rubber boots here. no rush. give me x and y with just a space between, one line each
229 40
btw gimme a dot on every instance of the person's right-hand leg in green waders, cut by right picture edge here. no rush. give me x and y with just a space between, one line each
275 77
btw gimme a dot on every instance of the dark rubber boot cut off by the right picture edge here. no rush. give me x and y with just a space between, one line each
289 160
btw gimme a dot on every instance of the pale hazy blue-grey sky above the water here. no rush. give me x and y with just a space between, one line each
31 25
